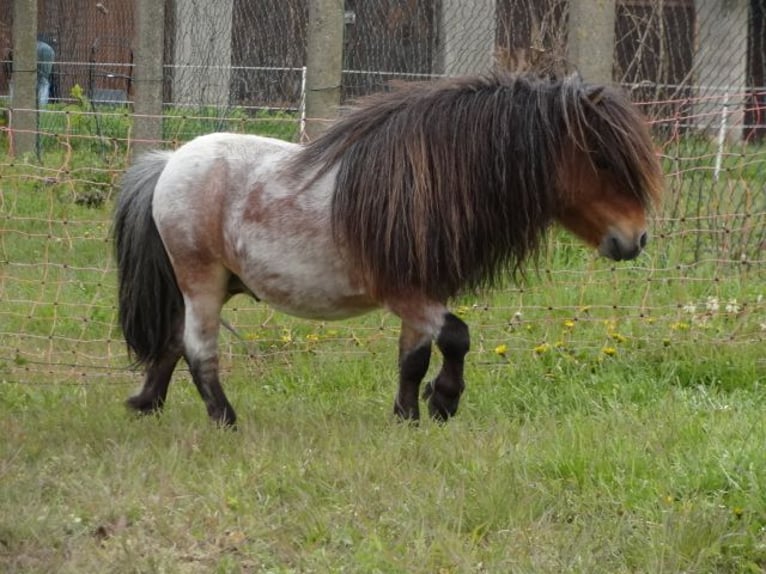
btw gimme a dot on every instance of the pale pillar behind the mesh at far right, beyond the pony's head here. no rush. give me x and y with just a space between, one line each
720 66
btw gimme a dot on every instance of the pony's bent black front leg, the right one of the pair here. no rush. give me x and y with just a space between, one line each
443 393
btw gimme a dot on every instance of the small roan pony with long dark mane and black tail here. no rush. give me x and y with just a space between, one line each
413 196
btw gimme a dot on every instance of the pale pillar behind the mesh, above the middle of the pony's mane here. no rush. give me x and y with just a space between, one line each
466 37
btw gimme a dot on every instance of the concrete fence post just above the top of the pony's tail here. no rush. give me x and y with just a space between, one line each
147 106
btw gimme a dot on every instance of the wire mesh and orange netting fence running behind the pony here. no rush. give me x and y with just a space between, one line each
696 69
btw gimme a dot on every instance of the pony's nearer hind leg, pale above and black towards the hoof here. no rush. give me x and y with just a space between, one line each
201 353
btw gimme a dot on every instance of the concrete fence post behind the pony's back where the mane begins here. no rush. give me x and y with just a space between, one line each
324 64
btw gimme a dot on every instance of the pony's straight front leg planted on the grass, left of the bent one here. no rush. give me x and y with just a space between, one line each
414 357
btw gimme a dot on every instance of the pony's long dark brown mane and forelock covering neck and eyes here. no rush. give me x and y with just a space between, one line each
446 185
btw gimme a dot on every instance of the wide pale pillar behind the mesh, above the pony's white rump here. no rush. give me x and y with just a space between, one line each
202 59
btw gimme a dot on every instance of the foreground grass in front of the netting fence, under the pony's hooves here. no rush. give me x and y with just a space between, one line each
587 473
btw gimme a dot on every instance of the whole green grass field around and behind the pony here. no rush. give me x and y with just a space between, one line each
613 420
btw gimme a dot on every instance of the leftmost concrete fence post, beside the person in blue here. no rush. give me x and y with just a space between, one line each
23 114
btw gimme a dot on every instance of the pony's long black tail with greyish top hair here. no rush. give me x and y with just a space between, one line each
150 303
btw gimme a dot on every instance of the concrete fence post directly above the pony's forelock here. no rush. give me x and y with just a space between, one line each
591 39
